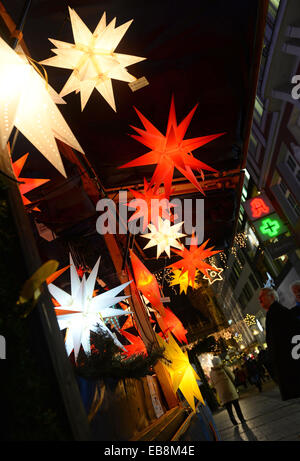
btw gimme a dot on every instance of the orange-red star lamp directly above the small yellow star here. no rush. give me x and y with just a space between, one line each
194 259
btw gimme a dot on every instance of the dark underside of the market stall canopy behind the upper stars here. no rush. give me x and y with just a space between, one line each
204 53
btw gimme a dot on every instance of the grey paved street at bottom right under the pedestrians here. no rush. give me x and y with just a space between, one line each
268 418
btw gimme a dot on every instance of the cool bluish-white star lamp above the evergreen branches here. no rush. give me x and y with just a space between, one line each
82 313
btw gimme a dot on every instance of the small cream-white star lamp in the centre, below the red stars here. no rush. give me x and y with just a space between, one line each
164 236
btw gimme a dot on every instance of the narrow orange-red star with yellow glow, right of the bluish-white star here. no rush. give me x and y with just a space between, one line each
146 283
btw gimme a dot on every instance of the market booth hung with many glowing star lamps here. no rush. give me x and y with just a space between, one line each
99 298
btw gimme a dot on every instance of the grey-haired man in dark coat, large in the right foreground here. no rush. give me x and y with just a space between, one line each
282 330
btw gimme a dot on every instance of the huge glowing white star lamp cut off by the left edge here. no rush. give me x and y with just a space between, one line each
29 103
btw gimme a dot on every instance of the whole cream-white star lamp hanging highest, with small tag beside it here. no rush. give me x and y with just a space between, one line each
93 59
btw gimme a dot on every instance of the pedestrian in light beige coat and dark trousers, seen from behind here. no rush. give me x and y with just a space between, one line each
222 380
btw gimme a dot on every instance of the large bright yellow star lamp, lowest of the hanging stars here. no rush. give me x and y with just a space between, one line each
182 374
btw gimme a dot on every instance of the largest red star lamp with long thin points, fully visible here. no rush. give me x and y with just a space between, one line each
171 150
